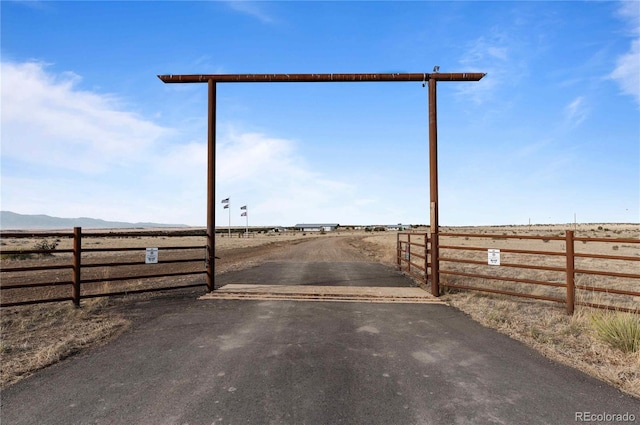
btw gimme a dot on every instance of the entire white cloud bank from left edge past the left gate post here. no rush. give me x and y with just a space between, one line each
71 152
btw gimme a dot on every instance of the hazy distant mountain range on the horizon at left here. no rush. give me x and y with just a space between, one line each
14 221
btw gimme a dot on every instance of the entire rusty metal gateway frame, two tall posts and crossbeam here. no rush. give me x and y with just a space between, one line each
429 79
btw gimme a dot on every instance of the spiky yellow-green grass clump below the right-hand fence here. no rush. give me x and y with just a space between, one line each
620 330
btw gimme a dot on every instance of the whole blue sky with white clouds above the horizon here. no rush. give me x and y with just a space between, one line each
553 130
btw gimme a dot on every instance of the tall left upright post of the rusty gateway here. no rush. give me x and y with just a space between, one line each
211 187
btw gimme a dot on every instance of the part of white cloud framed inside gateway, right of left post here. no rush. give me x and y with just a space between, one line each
270 176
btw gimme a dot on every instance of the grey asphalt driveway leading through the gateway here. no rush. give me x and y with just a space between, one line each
189 361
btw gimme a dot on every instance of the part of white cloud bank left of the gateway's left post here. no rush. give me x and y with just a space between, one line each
71 152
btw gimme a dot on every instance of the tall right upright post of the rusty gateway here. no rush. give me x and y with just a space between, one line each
433 186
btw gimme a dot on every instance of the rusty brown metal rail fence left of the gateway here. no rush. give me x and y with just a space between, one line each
72 274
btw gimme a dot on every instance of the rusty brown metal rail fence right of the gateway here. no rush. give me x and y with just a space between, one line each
571 276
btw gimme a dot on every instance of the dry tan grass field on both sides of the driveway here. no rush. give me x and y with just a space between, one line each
34 336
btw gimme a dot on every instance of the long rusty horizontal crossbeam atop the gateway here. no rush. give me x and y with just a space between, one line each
317 78
